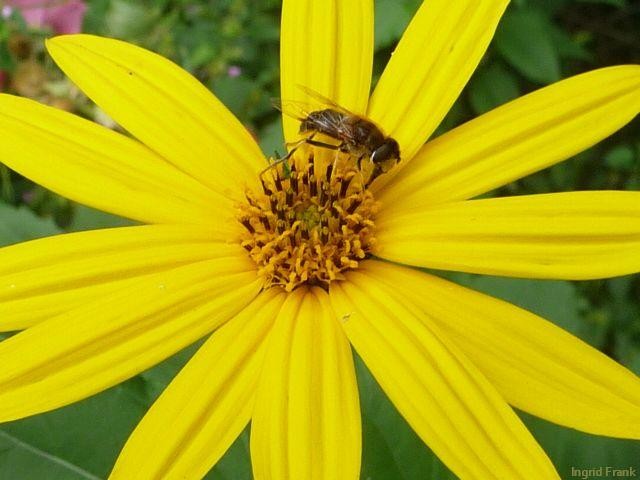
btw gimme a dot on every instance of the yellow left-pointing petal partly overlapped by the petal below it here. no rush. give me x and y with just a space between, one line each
45 277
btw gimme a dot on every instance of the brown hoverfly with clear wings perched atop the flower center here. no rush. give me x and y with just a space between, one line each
357 135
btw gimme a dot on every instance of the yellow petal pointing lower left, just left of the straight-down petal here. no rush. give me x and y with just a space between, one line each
207 405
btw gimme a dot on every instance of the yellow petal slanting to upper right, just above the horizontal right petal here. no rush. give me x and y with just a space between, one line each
519 138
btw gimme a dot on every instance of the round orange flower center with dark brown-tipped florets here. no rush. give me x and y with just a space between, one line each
312 220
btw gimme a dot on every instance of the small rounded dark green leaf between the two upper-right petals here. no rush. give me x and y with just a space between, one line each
492 86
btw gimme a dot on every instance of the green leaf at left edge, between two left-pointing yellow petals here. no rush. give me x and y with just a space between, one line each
20 224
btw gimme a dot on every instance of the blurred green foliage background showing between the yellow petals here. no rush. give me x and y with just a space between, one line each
232 47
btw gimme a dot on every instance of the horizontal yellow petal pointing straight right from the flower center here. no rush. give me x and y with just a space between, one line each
574 235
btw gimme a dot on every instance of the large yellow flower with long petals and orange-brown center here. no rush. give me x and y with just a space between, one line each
99 307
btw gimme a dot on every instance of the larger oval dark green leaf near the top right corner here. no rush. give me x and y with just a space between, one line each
524 39
